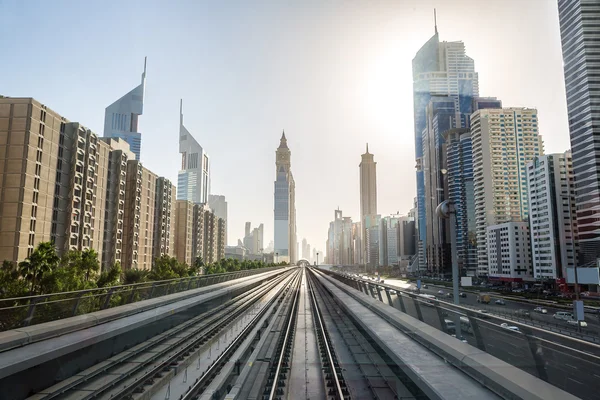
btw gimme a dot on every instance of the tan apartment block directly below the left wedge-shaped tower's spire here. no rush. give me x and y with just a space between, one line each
138 221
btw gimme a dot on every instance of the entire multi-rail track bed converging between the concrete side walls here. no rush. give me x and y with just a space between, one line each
266 357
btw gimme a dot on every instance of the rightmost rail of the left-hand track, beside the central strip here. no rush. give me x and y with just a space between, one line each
214 369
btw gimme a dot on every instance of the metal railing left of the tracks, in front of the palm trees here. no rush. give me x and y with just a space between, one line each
30 310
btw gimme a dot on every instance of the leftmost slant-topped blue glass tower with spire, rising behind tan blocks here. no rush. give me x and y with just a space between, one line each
121 117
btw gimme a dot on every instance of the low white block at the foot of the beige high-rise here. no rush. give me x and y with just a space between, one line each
509 252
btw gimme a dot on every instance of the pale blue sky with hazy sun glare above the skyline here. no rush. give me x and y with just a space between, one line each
334 74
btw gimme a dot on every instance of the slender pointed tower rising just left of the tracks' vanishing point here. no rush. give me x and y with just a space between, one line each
285 205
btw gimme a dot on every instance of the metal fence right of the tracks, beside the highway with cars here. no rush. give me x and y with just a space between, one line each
559 358
